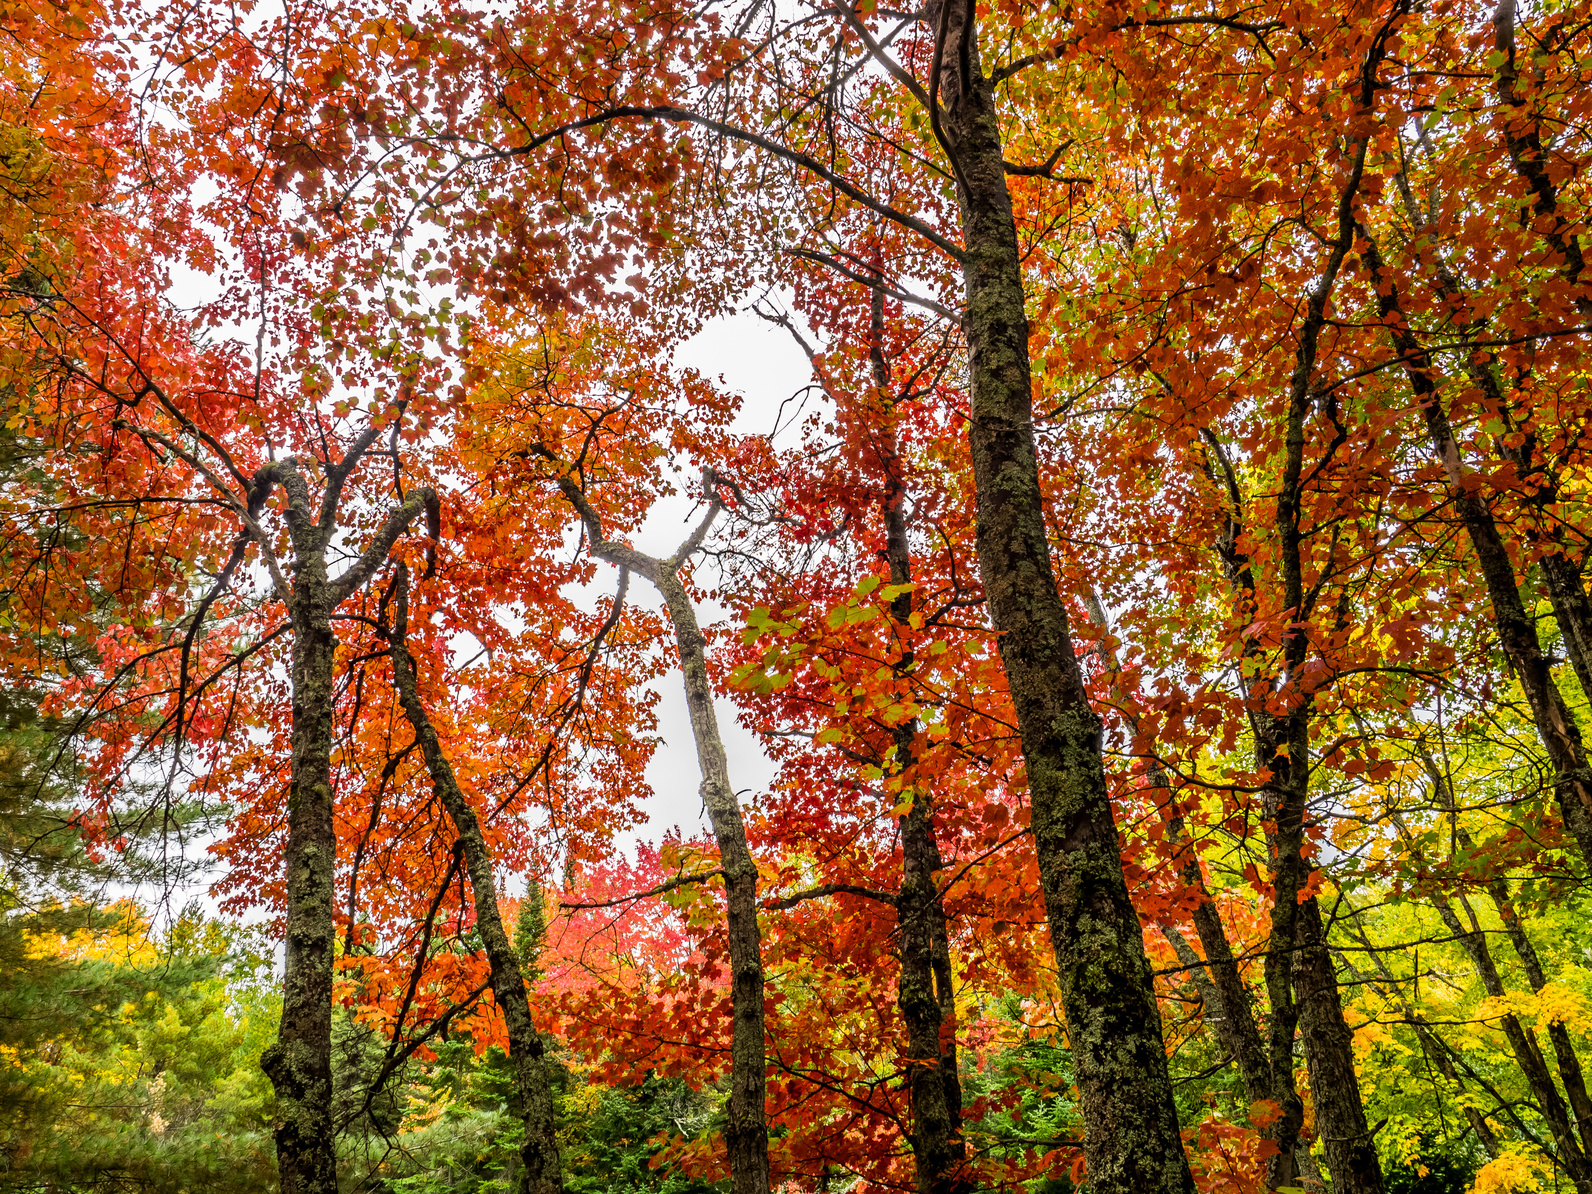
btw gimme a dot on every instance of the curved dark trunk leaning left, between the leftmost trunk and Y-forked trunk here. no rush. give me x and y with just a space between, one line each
540 1171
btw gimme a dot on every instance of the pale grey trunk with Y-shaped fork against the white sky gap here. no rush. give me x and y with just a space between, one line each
747 1134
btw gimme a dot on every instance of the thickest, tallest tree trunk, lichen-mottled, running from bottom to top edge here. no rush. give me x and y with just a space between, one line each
1114 1026
